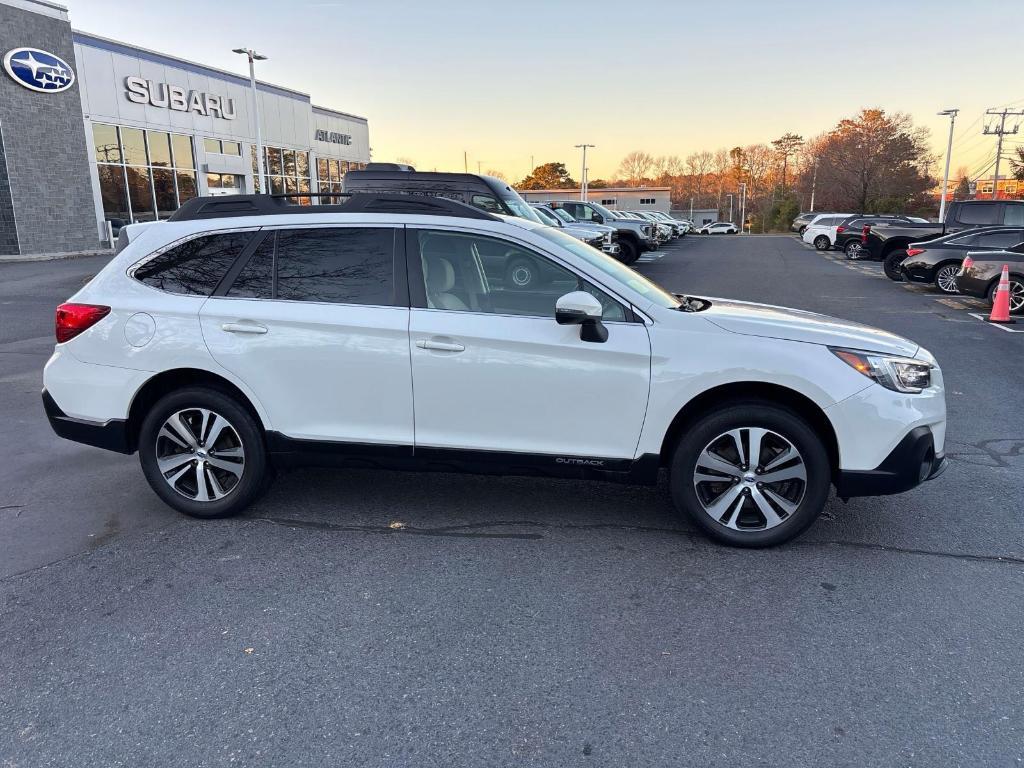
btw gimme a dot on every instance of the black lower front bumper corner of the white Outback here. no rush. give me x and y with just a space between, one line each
913 462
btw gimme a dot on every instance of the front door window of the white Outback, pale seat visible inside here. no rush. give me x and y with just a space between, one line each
477 274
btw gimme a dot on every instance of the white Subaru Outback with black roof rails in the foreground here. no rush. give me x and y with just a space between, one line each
248 333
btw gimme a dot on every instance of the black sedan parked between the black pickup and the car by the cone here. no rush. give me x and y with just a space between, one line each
937 262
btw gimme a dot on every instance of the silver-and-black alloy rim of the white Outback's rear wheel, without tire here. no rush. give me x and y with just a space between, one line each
200 455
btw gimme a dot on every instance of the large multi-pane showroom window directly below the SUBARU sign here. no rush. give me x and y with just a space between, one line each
144 176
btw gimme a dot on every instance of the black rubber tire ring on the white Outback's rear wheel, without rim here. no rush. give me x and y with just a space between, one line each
254 478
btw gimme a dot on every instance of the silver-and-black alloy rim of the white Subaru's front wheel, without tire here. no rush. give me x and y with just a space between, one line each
750 480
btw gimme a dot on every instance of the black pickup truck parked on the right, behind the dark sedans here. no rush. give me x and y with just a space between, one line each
963 215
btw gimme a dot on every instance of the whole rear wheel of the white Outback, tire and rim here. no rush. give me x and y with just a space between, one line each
203 453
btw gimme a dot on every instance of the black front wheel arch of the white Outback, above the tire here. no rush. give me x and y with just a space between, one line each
737 393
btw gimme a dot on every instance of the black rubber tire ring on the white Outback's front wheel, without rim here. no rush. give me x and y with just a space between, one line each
738 416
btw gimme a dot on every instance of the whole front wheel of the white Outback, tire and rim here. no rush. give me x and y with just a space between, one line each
752 475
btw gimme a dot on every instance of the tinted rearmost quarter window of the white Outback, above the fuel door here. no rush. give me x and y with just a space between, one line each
194 268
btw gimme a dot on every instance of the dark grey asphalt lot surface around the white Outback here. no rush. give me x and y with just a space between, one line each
358 618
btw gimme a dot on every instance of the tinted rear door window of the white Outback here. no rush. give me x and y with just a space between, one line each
343 266
